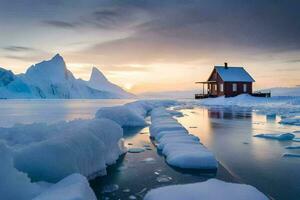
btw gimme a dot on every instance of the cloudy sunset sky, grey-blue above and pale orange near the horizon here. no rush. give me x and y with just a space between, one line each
155 45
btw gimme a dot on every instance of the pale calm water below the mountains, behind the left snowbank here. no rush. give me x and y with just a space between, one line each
50 111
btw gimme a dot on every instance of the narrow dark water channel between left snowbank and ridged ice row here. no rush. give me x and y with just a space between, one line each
137 173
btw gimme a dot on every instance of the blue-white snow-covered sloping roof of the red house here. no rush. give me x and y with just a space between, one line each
234 74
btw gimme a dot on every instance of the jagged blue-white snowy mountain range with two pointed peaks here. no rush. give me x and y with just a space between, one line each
52 79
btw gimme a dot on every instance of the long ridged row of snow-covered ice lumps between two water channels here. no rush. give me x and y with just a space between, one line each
181 149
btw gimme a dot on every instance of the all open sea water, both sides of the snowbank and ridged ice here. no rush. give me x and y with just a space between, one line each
228 132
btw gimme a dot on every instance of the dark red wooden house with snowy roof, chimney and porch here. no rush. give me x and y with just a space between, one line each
227 81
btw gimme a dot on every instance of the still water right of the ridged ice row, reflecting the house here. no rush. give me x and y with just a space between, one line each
256 161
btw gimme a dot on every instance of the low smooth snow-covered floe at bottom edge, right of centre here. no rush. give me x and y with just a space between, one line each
209 190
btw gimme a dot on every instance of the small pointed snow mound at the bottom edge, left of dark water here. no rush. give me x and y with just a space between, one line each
73 187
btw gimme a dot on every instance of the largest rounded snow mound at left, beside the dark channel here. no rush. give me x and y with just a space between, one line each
79 146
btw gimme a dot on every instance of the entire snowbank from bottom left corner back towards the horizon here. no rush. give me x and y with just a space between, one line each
58 153
